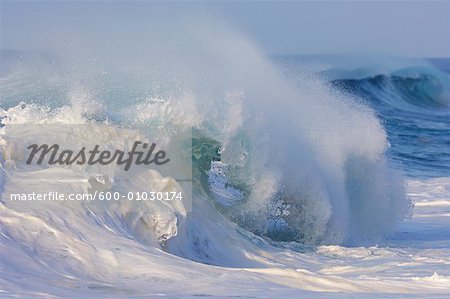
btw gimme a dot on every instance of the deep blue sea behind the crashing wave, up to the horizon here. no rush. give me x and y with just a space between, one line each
410 97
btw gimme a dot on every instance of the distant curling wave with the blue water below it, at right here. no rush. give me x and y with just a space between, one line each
414 104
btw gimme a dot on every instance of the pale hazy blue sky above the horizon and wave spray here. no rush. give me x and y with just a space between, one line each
400 28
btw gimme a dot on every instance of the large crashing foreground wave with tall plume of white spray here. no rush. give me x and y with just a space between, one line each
299 164
